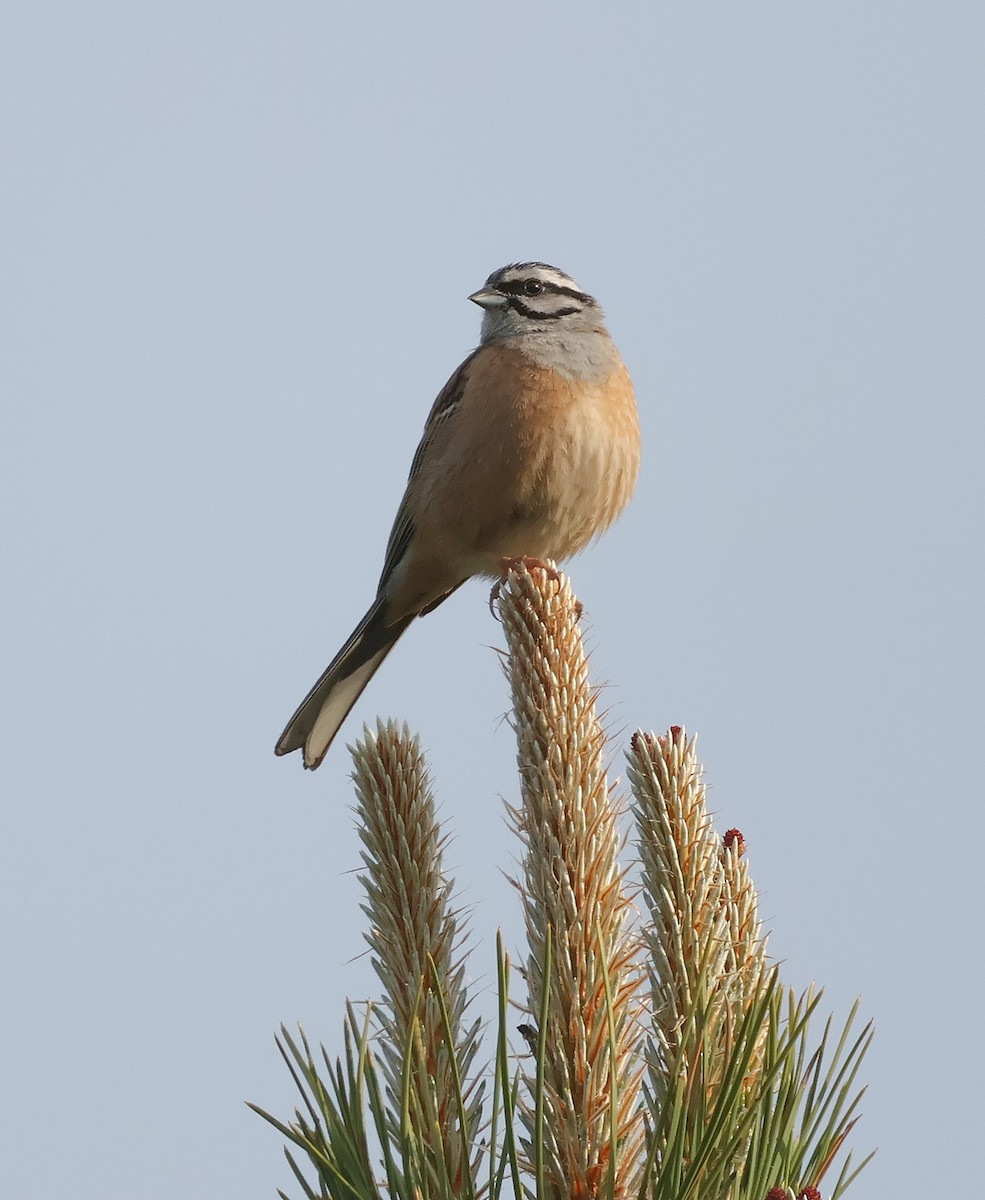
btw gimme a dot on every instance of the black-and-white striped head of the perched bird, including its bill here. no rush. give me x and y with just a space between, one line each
527 298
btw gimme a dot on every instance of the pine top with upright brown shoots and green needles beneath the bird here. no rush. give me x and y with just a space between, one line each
658 1057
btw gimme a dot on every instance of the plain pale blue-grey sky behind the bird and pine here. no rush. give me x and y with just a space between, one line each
236 247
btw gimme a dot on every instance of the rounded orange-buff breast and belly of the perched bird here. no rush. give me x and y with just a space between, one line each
533 463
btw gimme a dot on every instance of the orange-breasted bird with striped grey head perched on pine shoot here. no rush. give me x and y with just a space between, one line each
530 452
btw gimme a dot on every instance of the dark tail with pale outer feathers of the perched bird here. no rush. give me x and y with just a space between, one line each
327 706
